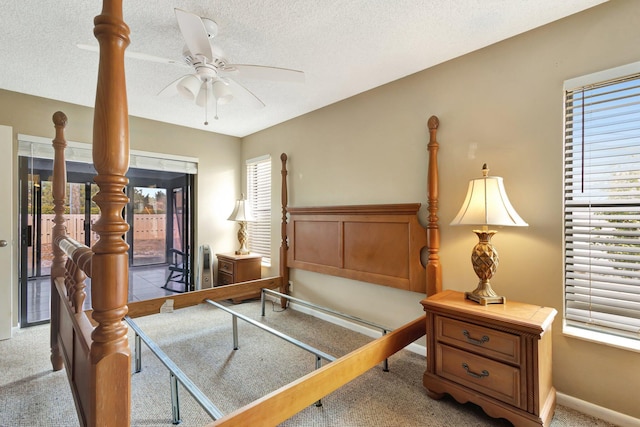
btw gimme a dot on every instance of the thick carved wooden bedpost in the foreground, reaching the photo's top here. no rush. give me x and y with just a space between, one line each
110 355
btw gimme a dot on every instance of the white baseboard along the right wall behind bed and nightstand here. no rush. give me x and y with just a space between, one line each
583 406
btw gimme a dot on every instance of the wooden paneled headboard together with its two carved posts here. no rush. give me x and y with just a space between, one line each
381 244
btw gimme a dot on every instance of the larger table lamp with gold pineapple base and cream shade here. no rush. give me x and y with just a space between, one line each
486 204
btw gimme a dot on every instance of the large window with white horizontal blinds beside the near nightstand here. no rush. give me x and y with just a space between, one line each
602 203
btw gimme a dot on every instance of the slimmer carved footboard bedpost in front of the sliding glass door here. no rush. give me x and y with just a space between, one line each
59 229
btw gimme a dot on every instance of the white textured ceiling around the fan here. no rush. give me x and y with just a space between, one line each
345 47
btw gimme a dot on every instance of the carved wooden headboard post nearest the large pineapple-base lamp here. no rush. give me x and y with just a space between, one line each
434 269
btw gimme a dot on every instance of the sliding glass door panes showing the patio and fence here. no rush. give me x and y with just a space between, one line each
159 217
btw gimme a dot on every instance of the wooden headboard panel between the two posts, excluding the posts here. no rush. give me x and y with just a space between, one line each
375 243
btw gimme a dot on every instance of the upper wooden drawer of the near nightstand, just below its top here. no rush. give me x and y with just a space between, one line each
489 342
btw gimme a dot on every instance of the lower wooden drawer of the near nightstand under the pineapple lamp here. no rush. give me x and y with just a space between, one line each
495 379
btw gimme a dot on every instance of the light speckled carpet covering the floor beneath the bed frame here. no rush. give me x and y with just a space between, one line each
199 340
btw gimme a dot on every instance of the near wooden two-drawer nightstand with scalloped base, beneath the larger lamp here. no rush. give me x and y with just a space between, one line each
497 356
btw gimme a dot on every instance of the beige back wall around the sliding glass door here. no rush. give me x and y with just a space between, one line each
219 175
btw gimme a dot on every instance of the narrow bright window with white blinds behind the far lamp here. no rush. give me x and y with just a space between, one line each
259 199
